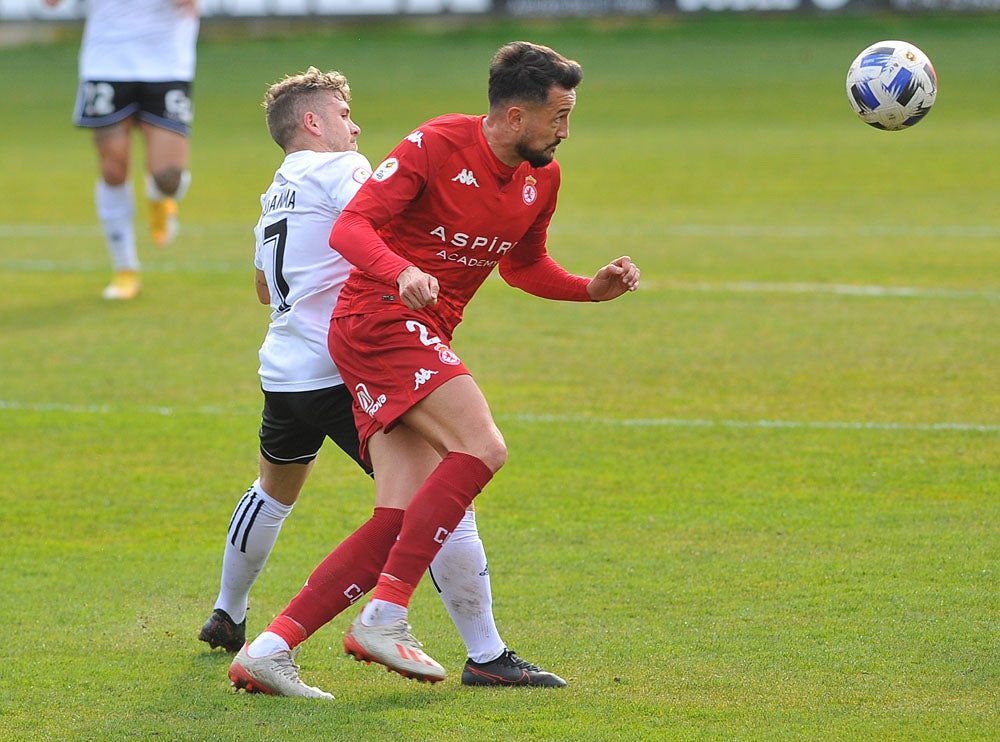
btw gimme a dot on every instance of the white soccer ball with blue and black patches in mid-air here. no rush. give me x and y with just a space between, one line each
891 85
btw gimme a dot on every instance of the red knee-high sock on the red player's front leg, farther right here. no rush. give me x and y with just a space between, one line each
430 518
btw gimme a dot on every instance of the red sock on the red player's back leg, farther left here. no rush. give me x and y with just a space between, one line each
341 579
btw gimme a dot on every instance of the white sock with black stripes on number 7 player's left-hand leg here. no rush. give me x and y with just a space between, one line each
253 530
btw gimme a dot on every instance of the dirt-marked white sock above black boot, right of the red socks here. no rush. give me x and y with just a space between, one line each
462 578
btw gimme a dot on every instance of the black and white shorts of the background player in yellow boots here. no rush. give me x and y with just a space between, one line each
164 104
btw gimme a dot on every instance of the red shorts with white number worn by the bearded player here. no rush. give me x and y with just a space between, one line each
389 361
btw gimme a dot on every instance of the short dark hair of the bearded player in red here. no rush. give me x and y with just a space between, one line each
521 71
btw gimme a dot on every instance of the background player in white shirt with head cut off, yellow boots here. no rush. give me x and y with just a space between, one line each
137 62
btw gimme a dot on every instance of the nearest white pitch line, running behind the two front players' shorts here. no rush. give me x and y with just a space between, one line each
652 422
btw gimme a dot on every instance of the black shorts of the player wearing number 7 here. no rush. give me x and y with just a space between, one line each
294 425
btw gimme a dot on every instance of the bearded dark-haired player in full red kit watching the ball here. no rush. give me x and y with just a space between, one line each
460 196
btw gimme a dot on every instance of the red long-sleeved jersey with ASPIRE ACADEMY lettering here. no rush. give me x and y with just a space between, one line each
443 202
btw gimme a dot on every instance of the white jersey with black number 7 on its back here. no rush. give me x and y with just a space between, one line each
304 274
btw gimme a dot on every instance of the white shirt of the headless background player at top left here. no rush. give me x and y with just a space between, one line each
138 41
